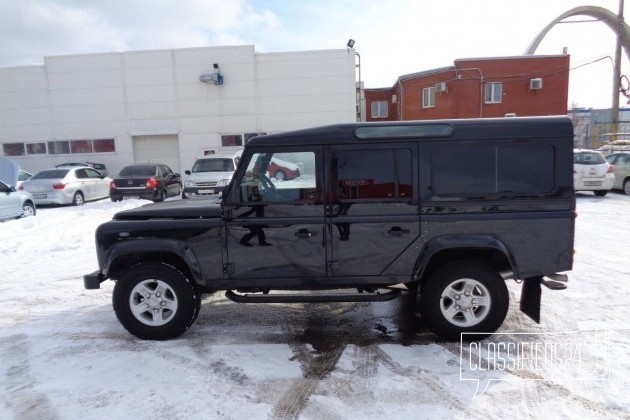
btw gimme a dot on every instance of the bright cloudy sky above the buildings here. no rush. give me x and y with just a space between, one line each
393 37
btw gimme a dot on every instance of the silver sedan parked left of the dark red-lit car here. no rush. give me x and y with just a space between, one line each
67 185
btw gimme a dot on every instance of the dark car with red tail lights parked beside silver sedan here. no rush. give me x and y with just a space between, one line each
149 181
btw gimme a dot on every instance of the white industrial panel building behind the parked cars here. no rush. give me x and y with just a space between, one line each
167 106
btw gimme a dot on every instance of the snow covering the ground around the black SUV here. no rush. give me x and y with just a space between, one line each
63 354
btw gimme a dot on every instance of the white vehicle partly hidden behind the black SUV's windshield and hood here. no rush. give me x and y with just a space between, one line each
210 174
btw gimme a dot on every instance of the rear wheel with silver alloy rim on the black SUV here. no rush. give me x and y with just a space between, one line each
464 296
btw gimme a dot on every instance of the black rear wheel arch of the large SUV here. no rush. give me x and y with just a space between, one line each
446 249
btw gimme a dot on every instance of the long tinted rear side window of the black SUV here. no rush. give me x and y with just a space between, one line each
479 171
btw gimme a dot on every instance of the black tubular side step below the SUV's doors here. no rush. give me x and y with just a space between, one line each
311 297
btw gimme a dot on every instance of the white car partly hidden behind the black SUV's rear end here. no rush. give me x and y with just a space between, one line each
591 172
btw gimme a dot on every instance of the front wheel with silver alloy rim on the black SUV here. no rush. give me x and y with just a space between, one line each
155 301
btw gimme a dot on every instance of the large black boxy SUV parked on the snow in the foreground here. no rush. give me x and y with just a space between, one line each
445 210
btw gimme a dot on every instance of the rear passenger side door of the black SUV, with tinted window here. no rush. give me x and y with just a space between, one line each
373 213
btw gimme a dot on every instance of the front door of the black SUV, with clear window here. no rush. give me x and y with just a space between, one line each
276 229
